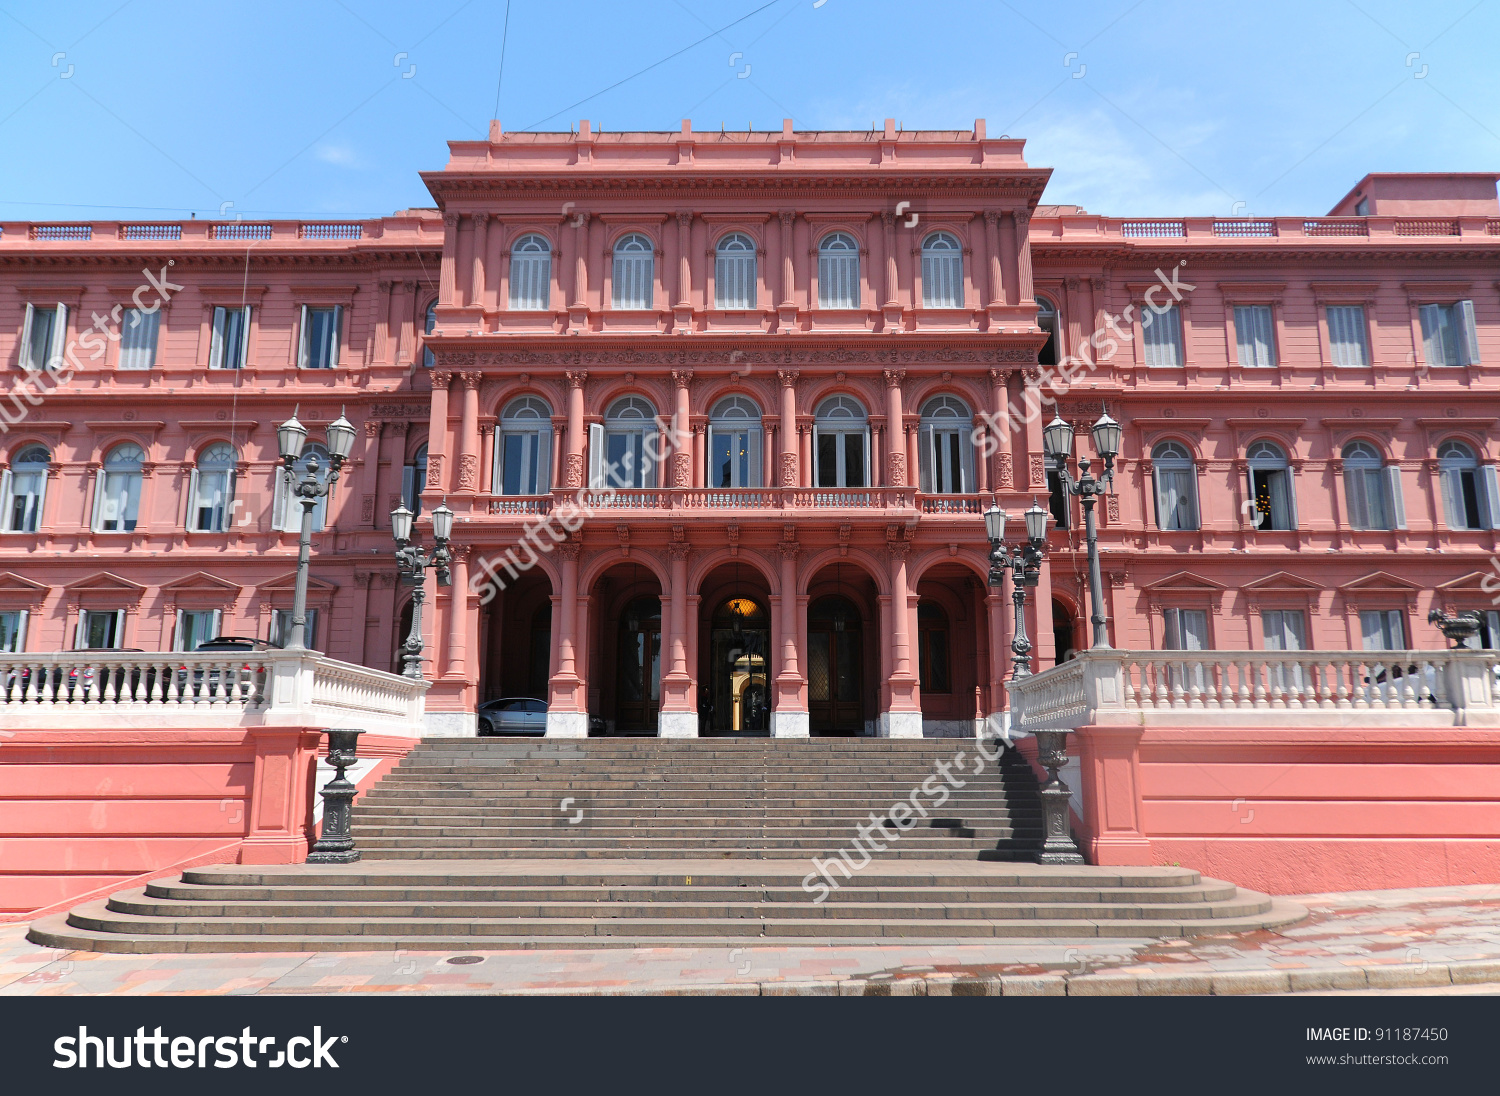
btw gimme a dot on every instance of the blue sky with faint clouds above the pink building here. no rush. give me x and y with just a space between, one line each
151 109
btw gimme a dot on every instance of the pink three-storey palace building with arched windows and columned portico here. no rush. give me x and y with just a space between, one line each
719 415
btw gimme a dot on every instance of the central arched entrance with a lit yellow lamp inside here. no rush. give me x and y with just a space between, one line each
739 695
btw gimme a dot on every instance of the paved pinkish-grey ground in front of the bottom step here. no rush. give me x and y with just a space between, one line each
1421 941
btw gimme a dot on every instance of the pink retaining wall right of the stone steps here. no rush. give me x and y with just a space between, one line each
1295 812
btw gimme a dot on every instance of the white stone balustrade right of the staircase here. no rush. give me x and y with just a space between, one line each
1265 687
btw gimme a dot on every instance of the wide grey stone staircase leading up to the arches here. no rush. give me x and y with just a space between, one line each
602 843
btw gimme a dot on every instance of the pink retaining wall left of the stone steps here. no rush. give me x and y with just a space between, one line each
89 810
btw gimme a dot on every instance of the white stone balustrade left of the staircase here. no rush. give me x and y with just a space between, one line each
146 692
